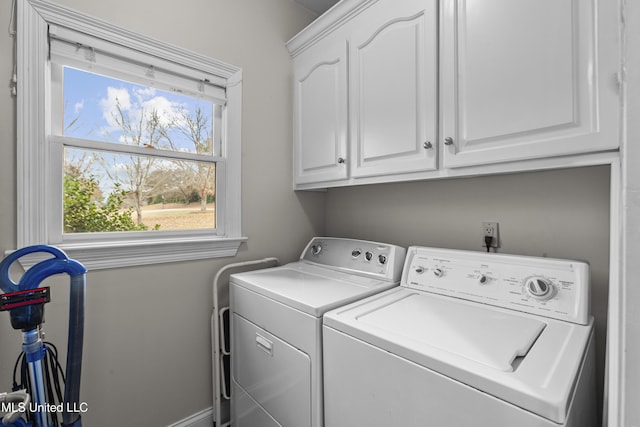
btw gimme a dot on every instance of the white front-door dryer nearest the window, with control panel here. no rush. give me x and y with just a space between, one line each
276 326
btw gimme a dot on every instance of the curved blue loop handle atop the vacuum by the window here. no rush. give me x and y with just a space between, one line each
60 263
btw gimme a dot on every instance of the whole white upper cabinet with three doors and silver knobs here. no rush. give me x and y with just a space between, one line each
393 90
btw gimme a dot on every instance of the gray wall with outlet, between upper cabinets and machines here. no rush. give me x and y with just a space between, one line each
559 214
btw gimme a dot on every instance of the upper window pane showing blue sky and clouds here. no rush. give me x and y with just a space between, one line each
106 109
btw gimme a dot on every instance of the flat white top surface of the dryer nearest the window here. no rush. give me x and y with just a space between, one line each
309 288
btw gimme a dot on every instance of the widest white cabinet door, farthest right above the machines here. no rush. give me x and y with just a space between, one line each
527 79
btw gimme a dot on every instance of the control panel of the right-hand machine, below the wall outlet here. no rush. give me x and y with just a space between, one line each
547 287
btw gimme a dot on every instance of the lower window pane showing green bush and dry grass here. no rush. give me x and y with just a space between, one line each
121 192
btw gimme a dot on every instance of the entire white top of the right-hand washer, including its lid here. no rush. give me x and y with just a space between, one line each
526 360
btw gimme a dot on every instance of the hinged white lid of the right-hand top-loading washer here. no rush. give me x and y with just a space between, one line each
497 340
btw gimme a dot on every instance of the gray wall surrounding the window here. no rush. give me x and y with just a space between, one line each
147 348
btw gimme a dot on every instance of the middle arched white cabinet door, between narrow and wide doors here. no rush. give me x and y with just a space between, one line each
393 110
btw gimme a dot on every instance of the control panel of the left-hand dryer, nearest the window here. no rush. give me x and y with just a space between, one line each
373 259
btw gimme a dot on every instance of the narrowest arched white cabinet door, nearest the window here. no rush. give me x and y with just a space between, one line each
320 112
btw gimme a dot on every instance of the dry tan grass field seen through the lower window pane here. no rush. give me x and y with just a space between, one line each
178 216
